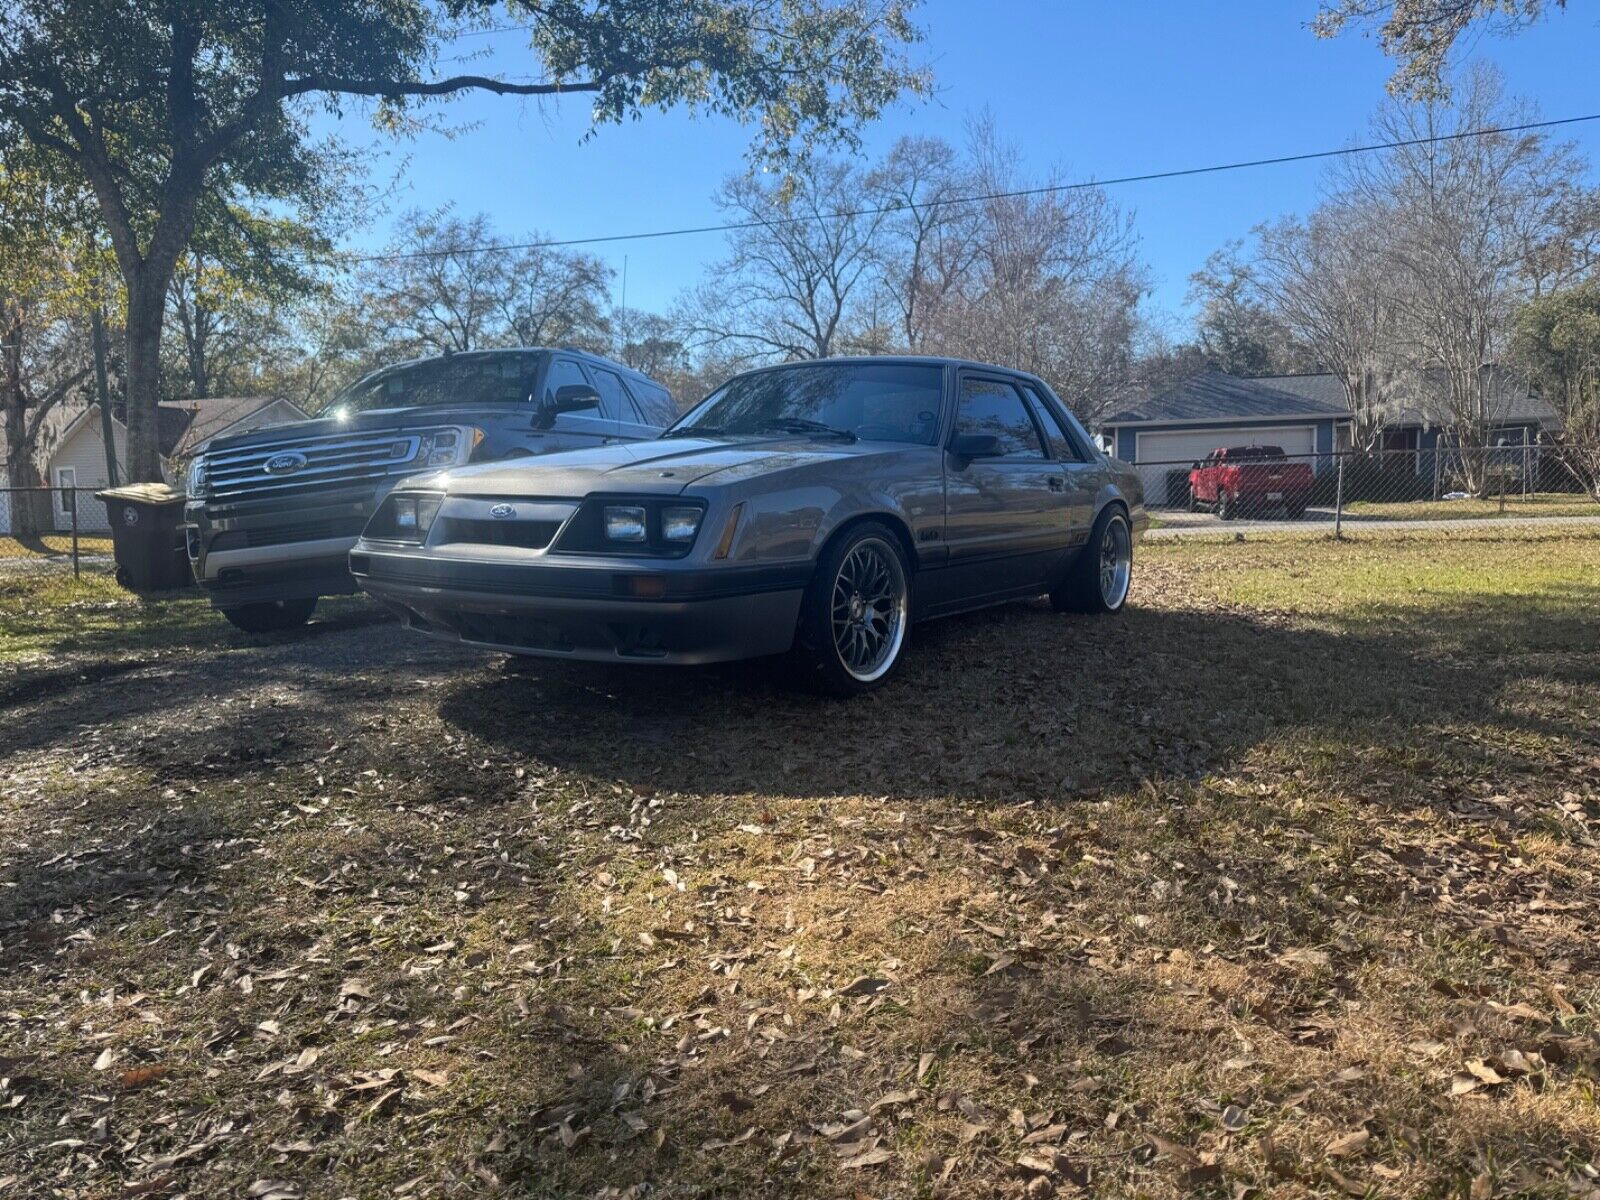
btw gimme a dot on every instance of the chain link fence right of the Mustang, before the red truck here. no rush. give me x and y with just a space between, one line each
1442 487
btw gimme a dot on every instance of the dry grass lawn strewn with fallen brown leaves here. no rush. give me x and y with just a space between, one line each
1282 884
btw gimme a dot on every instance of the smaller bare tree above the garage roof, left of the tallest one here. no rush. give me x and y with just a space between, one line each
1326 282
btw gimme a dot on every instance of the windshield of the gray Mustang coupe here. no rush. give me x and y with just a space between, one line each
874 402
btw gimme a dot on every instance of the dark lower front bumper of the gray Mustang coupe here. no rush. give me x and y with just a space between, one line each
599 610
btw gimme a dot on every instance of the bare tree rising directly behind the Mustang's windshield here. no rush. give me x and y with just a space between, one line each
799 266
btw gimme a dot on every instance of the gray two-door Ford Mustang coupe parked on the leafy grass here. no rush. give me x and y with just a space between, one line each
817 508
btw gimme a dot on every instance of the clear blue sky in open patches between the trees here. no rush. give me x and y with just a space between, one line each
1095 90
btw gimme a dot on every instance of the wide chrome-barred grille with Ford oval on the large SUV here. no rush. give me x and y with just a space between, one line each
329 462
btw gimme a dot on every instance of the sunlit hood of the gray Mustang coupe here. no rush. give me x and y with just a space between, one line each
662 466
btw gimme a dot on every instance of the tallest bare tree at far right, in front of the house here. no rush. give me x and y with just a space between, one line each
1460 217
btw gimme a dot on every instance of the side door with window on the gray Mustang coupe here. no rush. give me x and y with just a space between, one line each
1007 518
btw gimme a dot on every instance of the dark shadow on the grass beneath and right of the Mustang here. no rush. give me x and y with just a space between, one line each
1030 705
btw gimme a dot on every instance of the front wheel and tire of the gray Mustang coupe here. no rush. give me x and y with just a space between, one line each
855 620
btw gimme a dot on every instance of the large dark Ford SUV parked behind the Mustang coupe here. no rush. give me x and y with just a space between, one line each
274 513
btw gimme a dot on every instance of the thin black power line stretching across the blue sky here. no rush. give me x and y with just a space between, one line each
980 198
